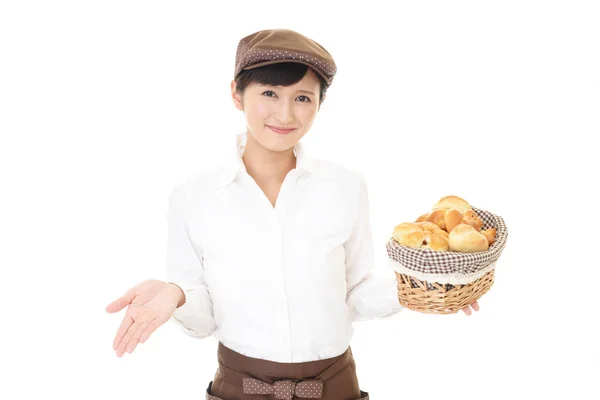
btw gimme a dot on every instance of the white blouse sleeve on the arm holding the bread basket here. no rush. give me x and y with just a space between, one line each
368 297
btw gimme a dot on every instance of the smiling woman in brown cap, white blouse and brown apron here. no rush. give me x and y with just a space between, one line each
272 252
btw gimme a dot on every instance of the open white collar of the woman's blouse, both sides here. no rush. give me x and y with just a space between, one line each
234 163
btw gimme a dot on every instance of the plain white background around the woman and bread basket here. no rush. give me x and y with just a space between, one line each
106 106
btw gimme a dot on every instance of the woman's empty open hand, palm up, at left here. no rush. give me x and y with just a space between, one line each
150 304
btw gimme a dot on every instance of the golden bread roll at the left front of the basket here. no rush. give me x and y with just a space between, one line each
421 235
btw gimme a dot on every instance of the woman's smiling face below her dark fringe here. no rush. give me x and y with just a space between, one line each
290 108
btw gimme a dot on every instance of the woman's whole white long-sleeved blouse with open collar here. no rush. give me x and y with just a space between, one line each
279 283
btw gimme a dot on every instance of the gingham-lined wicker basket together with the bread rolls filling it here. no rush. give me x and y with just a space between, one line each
446 259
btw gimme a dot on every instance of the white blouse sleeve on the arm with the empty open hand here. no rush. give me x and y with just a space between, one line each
184 267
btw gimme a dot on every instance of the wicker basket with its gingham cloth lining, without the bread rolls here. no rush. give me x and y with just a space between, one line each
444 282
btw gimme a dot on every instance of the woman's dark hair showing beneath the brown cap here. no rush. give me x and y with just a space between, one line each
282 74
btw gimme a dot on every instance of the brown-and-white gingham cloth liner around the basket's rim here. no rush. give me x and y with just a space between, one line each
429 263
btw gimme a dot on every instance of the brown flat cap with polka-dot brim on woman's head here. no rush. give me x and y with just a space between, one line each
275 46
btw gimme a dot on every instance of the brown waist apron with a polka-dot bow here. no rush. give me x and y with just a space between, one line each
244 378
